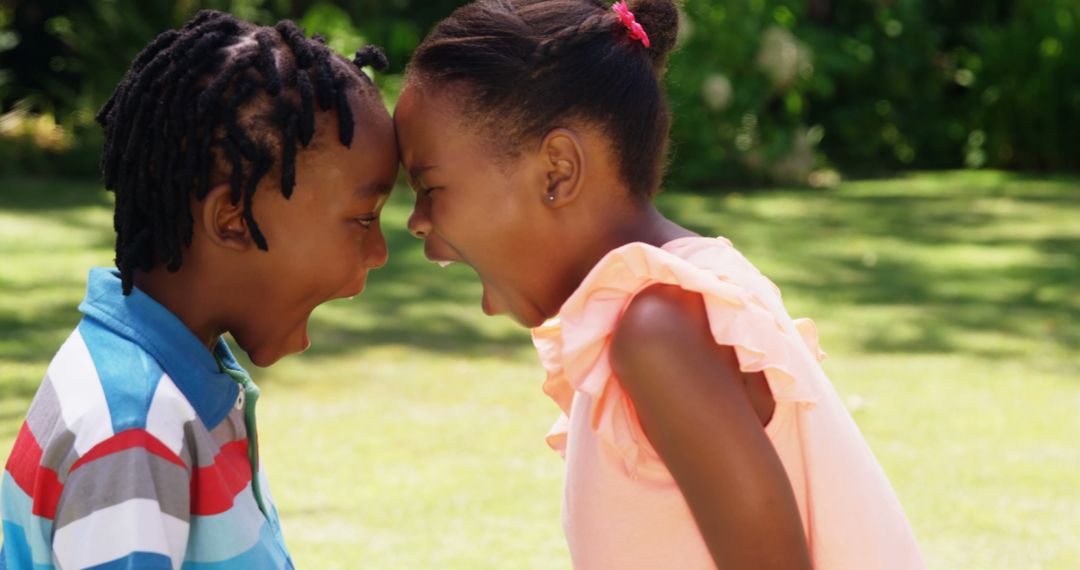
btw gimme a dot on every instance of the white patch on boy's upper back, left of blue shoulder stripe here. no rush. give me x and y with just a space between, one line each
78 388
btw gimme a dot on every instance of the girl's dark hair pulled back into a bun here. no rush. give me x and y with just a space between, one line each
529 65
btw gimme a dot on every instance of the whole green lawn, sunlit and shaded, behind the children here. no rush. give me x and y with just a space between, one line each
412 435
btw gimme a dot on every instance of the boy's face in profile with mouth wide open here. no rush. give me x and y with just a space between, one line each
323 240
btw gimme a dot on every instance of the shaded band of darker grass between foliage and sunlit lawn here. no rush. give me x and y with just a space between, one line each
866 246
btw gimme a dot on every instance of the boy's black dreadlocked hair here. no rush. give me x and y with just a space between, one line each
217 102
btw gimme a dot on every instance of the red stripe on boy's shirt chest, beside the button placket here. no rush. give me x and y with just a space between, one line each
214 487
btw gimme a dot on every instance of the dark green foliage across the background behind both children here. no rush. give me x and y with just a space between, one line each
764 91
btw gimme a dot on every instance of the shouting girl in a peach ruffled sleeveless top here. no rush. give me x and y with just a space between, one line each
699 430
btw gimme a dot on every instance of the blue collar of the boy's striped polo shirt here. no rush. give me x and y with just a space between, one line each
184 358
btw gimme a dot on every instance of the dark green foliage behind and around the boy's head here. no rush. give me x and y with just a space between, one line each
62 60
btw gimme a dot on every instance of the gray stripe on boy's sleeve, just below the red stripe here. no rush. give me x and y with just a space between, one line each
133 473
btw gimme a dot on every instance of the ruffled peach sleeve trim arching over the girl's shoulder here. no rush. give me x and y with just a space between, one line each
744 309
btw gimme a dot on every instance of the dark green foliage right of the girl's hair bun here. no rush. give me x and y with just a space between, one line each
769 90
